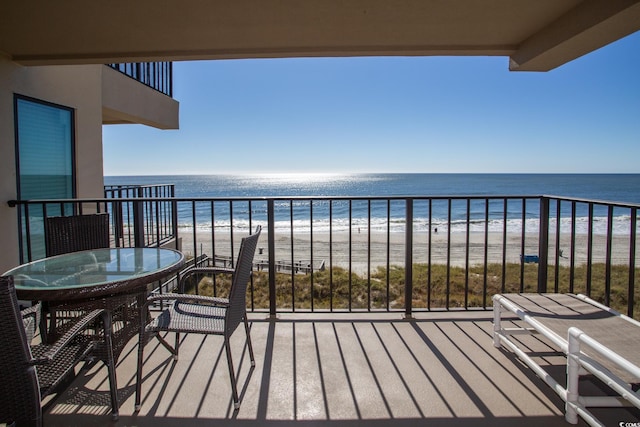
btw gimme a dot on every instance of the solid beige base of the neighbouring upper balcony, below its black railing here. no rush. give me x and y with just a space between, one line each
125 100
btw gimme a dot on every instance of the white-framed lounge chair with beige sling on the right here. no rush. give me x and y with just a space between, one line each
595 339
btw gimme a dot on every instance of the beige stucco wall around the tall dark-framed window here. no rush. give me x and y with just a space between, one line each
78 87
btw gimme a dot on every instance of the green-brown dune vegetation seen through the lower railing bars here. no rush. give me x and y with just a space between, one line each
434 289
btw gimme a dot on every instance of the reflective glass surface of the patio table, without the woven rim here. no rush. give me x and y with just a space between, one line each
93 268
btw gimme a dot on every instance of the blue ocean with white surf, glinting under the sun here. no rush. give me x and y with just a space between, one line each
623 188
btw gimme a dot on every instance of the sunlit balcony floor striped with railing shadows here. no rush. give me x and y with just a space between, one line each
333 369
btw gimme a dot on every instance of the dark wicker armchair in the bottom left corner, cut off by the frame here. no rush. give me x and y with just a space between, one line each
28 373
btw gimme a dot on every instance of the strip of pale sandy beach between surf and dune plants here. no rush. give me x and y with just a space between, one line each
341 250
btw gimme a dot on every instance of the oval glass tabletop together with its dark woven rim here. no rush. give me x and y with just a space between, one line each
94 273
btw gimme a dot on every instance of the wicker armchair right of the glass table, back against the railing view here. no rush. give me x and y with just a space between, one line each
199 314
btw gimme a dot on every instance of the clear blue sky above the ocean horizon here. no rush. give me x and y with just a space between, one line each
393 114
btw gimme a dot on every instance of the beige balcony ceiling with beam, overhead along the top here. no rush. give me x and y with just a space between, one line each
537 35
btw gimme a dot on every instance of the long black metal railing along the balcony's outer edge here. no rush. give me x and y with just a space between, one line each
380 253
